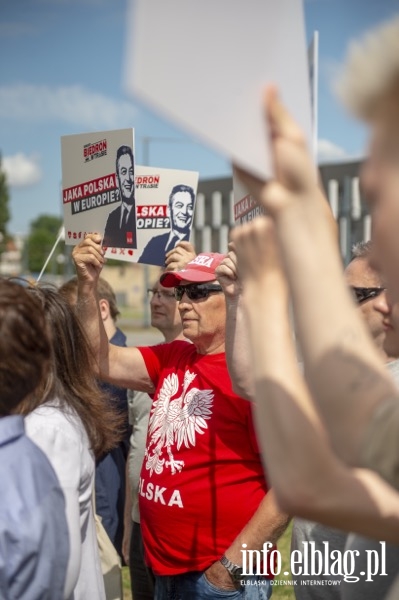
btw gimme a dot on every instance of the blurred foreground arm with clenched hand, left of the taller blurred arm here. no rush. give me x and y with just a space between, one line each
307 477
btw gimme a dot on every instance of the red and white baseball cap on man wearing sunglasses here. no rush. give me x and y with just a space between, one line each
199 270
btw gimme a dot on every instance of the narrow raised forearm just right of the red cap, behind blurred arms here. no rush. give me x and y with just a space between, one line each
238 355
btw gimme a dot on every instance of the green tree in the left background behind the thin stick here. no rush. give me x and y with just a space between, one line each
41 239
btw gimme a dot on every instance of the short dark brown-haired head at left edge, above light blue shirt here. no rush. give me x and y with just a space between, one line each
24 345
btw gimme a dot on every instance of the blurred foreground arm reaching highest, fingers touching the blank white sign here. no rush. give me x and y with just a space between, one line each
345 374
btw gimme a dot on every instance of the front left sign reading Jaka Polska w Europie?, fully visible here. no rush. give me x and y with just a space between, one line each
98 186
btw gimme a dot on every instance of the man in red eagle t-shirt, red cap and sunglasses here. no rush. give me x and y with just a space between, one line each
204 501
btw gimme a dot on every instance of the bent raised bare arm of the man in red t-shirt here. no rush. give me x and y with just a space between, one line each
121 366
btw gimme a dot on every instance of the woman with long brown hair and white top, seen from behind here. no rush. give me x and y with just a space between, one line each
69 418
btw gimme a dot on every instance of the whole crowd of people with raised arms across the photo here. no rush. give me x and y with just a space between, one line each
274 395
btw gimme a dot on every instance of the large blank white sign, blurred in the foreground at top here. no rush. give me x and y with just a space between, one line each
204 65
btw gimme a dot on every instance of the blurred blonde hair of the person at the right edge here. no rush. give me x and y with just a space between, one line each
371 71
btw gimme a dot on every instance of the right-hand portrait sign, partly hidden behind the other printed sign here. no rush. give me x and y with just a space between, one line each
165 202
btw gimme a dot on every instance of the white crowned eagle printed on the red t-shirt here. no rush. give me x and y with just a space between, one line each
176 421
